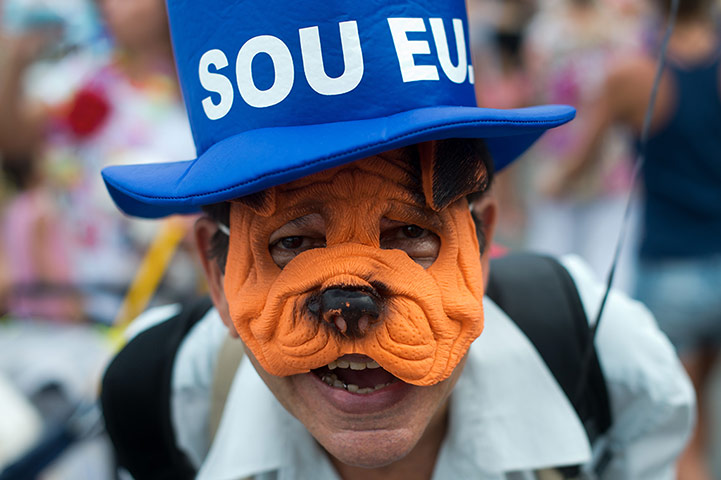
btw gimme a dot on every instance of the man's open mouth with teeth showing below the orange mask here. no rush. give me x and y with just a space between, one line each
356 374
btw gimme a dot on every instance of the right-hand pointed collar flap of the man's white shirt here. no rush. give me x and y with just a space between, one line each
507 411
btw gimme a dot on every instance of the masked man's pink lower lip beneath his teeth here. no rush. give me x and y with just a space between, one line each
348 402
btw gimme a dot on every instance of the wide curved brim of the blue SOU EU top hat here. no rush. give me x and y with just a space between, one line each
258 159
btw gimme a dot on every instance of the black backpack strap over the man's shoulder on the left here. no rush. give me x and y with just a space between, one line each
136 396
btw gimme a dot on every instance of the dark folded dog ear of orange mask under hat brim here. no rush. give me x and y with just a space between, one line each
452 169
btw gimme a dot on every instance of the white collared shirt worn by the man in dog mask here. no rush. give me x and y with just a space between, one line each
508 416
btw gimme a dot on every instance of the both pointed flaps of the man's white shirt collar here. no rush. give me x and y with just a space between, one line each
507 414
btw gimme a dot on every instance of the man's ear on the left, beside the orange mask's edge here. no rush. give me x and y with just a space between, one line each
205 228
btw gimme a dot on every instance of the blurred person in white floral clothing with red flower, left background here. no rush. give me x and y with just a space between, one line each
125 108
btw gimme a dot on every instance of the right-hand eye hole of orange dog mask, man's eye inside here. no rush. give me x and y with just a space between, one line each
421 244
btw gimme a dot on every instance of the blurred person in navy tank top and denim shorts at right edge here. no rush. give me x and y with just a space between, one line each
679 270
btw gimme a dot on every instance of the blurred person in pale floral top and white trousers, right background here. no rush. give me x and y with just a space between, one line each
569 45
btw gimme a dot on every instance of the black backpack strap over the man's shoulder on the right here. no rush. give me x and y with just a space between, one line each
540 296
